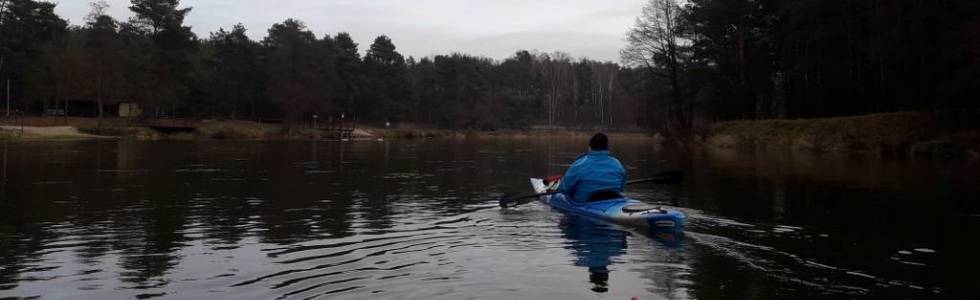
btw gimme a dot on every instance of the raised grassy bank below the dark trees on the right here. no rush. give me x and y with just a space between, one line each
910 133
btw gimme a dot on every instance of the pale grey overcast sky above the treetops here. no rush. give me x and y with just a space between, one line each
492 28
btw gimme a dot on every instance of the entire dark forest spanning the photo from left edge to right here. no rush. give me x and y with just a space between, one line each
685 64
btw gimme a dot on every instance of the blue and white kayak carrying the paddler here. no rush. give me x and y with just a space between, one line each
622 211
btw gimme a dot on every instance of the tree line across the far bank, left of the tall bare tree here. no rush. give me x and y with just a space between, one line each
292 74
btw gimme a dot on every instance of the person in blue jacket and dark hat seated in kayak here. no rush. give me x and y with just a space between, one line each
595 175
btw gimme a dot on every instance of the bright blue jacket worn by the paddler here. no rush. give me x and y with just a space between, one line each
592 172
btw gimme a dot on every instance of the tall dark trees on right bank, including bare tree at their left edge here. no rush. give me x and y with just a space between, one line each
712 60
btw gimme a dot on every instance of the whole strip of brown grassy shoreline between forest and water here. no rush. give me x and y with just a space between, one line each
895 134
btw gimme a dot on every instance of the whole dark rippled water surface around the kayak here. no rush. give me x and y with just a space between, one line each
418 219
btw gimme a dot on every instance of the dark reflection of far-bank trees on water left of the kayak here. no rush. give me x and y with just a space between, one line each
136 200
